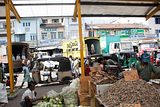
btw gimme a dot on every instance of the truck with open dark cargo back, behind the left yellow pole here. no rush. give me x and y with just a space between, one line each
19 51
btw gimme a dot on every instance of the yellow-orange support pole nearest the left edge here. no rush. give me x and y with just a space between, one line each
9 44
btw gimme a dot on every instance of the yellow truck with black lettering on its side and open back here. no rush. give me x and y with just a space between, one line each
72 47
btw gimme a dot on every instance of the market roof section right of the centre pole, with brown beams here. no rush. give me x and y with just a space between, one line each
119 8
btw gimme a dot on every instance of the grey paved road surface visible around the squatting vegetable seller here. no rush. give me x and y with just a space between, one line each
40 92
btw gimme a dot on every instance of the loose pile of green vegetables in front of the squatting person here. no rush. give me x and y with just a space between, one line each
51 102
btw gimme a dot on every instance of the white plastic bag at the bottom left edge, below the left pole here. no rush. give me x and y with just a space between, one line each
3 94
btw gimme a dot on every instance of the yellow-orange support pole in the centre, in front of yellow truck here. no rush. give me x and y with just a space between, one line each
80 37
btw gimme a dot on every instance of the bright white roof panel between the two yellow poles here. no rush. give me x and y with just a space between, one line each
45 8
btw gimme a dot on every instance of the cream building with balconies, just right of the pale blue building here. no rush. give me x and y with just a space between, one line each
52 32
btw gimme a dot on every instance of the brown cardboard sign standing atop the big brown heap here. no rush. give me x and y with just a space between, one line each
131 75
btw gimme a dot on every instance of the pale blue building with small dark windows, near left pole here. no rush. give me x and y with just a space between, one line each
27 31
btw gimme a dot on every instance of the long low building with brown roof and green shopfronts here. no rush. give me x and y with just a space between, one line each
124 30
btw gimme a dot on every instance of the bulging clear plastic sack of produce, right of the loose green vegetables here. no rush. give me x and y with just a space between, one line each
70 96
